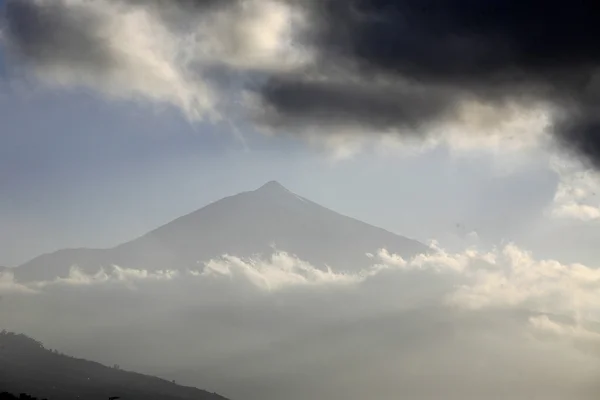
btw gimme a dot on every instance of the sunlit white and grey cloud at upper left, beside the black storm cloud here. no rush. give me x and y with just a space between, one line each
155 53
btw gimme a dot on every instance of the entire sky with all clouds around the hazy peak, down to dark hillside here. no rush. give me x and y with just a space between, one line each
471 126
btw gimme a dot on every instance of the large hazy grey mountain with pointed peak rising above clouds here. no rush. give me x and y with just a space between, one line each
246 224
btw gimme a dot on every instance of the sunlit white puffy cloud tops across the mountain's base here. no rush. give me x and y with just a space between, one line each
501 278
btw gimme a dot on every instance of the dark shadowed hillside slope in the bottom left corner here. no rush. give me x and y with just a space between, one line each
27 367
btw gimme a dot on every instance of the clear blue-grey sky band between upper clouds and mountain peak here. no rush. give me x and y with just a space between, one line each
87 173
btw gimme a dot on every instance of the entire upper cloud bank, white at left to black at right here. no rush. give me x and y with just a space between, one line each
400 67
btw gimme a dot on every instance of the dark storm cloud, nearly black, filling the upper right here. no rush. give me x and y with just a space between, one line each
493 50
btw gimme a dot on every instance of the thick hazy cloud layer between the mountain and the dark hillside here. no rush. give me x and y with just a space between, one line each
473 324
